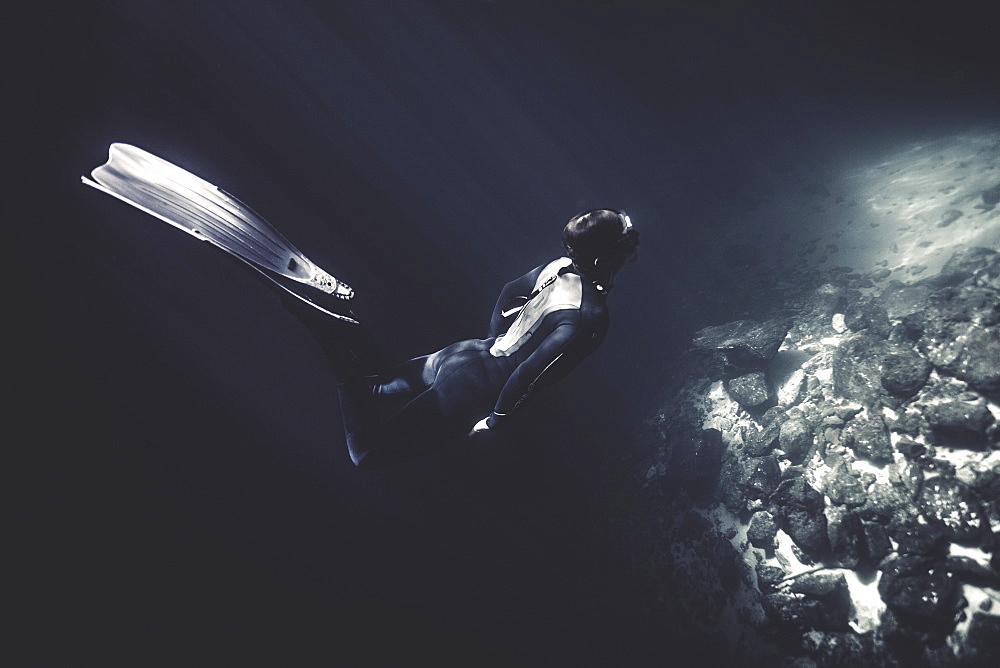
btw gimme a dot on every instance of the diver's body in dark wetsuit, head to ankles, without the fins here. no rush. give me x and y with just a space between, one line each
544 324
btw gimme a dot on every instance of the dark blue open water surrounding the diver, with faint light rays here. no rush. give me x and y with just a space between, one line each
188 487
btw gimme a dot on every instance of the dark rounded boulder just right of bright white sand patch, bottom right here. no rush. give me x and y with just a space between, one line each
921 592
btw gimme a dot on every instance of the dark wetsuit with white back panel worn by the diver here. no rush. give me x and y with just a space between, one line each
424 402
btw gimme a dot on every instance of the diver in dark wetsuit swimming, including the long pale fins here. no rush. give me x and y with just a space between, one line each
544 323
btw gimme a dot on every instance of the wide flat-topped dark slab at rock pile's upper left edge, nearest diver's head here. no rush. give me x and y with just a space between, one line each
740 346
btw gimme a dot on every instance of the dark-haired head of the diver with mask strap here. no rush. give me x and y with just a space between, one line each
601 241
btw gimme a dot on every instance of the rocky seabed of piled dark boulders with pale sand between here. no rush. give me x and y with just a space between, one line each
840 466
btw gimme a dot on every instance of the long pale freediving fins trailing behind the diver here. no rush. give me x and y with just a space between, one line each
203 210
